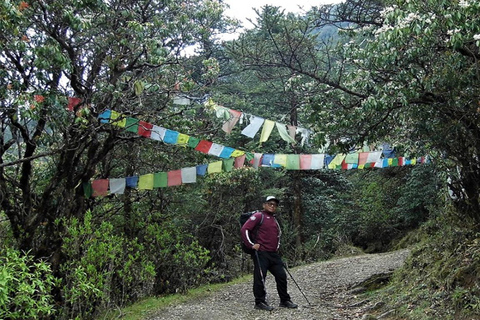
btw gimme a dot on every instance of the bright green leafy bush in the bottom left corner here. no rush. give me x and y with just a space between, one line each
25 287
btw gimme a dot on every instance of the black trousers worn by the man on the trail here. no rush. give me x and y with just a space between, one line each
269 261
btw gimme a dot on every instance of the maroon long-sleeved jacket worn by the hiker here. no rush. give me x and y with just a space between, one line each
268 234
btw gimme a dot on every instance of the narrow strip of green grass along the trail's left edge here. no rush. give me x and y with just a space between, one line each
150 306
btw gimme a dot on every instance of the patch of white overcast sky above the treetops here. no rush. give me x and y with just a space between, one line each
242 9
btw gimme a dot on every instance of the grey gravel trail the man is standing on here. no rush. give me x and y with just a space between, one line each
327 286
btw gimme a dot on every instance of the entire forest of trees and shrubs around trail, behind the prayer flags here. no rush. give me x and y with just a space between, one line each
357 74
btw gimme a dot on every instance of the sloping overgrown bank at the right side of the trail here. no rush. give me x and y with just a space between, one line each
440 278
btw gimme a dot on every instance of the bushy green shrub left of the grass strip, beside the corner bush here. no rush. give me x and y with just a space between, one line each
102 268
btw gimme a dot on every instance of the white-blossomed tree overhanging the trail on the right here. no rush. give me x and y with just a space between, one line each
404 72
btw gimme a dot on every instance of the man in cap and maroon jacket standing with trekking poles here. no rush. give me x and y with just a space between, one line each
262 233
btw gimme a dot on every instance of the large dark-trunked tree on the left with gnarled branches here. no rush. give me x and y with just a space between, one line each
120 55
